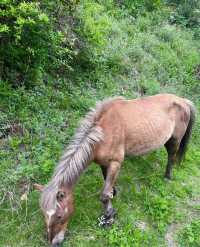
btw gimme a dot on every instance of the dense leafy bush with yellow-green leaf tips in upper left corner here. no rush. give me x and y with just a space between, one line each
29 43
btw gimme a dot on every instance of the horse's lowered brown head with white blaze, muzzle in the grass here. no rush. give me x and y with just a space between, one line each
56 216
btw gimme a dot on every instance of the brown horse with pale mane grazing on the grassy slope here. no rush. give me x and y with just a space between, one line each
115 128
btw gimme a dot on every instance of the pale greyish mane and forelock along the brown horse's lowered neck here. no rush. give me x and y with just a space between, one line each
77 155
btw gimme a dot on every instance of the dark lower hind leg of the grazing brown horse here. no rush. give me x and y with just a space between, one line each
172 146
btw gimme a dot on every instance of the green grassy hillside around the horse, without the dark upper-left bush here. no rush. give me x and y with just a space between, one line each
147 54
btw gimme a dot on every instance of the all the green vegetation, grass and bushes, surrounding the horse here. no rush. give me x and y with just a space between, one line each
57 58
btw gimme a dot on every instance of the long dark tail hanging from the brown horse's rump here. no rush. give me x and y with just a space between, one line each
186 138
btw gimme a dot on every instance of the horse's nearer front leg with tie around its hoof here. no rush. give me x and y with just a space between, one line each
107 194
